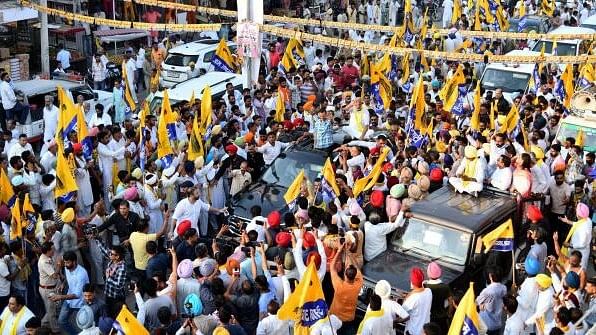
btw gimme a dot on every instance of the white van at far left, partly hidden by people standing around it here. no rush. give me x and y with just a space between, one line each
33 93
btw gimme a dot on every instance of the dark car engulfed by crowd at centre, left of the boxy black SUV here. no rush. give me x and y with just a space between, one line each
268 192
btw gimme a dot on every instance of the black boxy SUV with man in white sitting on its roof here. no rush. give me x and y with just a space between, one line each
446 227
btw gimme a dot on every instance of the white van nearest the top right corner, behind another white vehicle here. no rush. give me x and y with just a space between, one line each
565 47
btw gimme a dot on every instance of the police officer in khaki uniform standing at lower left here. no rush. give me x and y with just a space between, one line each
49 278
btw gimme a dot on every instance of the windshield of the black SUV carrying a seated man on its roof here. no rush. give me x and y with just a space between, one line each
433 241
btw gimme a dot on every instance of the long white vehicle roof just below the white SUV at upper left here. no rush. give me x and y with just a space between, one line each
183 91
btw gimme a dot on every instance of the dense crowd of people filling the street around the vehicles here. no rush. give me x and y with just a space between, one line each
153 234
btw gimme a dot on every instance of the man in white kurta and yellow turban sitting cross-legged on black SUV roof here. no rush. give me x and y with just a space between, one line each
469 176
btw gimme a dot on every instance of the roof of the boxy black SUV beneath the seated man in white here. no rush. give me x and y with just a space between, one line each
464 211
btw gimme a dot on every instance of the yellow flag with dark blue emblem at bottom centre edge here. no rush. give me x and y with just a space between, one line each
306 305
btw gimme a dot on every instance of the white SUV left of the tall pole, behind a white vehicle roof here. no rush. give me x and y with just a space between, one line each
175 67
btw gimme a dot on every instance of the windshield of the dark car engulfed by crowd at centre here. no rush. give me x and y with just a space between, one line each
284 170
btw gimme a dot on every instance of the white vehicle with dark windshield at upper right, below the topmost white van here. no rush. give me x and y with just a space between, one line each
512 78
